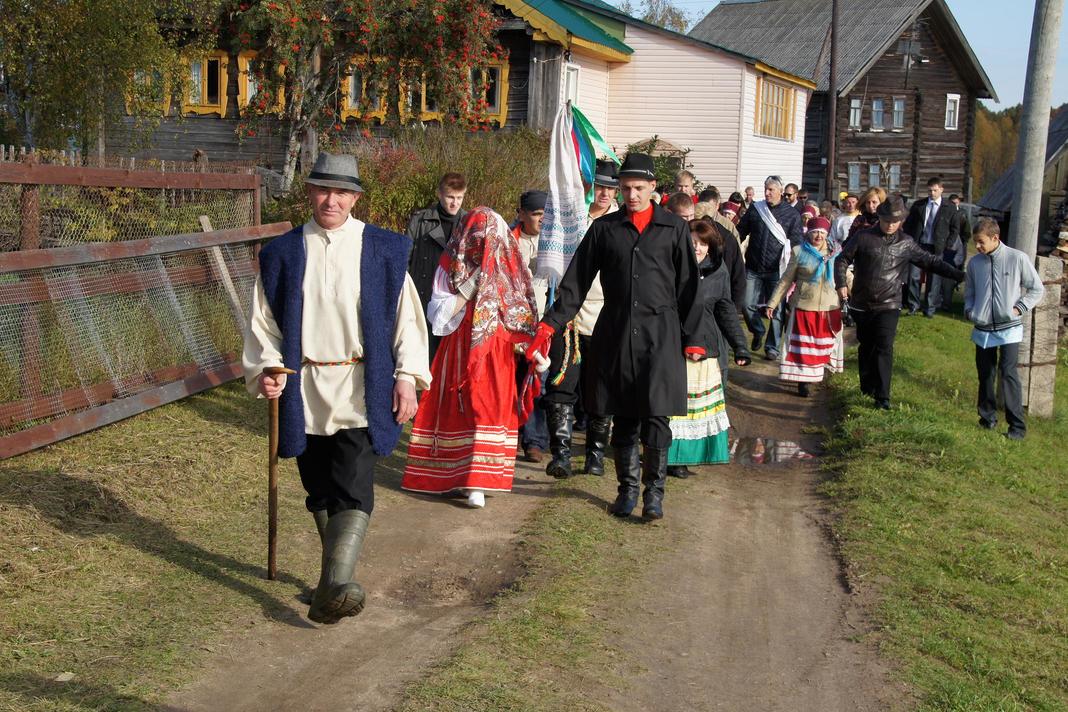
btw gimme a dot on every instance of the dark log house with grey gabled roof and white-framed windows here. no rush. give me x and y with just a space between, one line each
908 86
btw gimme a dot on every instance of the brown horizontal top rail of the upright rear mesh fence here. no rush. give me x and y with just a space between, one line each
105 178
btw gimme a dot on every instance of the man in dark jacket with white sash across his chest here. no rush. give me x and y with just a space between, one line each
766 260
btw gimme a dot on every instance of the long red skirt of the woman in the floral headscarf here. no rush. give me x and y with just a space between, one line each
465 434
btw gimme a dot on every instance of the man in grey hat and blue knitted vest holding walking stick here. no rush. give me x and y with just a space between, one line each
335 304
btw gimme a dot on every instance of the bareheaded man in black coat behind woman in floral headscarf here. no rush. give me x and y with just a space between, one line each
430 231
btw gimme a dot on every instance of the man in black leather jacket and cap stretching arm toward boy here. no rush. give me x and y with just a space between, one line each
882 258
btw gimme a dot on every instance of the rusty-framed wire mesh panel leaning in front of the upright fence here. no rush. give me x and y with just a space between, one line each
88 339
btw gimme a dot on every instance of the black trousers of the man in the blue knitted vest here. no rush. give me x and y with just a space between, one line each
338 472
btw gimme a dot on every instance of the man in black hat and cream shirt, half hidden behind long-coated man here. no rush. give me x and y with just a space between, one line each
572 357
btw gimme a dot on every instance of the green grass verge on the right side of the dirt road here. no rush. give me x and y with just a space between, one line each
962 534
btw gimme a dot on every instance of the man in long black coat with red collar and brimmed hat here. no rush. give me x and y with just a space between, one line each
650 276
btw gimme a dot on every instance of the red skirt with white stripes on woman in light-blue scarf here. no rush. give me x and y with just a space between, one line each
813 346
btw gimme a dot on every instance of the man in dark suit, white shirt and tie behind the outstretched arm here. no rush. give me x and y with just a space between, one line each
935 225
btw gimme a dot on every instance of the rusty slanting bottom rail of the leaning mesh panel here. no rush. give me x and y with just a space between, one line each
117 410
